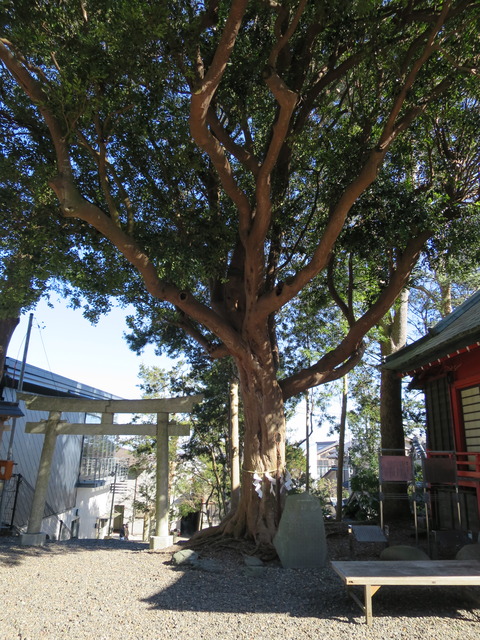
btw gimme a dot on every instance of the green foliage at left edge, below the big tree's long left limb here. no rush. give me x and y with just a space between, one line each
40 251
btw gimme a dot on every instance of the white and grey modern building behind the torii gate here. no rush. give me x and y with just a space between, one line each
80 502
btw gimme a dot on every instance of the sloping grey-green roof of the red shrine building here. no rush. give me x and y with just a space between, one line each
457 331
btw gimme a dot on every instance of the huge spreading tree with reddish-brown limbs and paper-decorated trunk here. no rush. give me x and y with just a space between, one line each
223 147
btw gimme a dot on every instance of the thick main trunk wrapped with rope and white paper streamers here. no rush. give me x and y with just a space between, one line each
262 497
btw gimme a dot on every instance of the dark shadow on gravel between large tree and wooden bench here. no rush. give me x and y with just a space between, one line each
316 593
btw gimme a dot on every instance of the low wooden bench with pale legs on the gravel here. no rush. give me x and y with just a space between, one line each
371 575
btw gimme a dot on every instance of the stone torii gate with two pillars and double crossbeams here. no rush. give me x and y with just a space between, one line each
54 426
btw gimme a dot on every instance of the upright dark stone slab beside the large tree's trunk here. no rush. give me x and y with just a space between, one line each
300 541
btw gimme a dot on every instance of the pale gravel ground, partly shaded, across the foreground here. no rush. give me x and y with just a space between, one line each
107 590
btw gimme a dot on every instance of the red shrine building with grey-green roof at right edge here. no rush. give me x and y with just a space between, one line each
445 364
